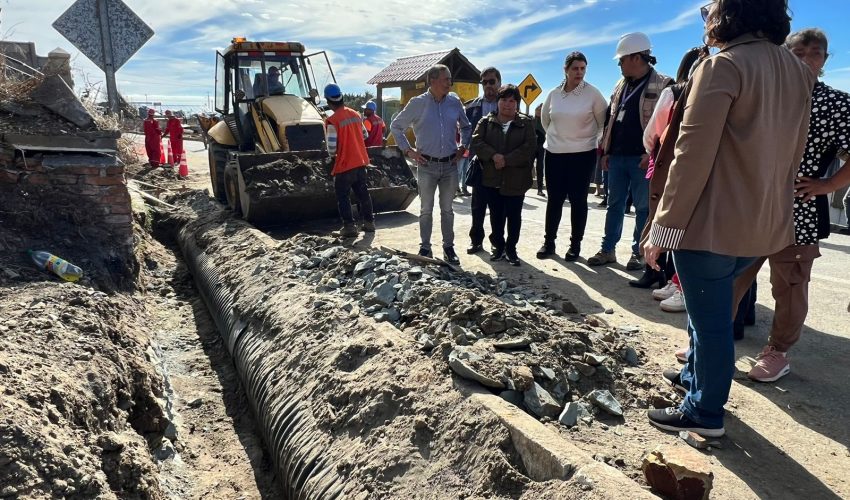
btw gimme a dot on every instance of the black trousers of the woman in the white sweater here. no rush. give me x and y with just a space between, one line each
568 176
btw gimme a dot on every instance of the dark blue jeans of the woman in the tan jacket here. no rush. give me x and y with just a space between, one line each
707 284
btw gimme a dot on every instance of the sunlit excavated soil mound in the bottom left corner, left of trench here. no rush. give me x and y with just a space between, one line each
77 393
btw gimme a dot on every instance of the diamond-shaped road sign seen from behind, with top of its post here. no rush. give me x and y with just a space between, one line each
107 32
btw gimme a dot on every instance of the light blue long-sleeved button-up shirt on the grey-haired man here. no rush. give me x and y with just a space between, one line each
435 124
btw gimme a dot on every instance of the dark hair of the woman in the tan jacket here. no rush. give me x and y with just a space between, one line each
730 19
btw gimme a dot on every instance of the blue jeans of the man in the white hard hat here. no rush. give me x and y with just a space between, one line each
625 174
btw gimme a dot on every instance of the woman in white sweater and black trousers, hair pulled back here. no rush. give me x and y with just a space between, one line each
574 116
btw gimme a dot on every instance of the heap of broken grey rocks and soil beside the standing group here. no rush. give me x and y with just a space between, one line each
511 339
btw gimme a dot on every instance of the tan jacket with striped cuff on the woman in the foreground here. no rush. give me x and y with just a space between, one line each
741 140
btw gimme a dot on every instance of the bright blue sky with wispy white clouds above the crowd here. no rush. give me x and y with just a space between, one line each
177 65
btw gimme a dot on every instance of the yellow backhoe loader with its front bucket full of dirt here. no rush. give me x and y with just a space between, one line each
268 156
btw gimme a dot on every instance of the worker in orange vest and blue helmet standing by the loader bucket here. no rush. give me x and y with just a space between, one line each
346 135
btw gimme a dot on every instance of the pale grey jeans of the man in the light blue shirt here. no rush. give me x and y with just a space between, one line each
430 176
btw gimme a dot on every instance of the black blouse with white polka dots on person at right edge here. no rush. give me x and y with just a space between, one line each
829 136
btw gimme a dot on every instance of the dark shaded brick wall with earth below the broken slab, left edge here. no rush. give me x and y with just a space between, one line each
74 205
